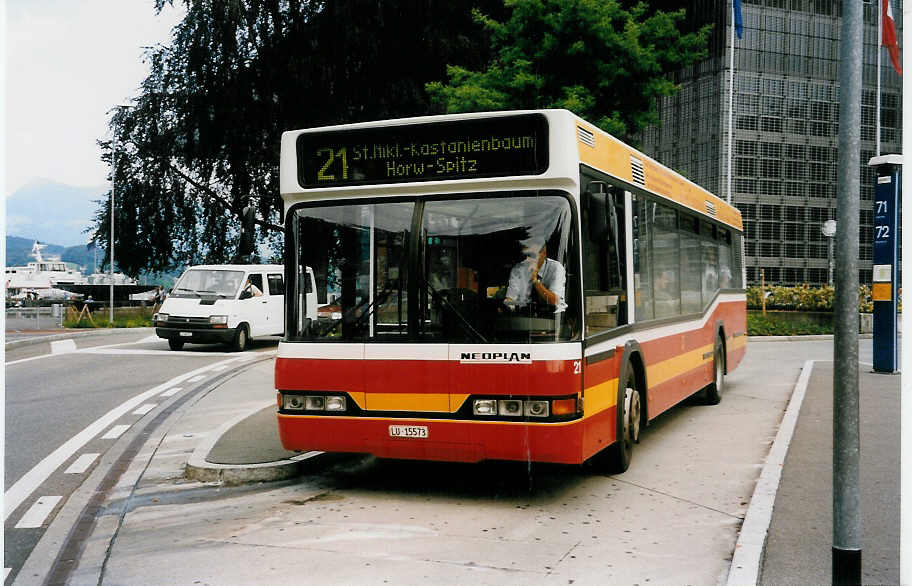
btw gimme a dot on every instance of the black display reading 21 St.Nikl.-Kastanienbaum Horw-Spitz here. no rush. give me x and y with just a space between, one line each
461 149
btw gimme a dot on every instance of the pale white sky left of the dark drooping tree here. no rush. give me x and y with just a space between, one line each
68 62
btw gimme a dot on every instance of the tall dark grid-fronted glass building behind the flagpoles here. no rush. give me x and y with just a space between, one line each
785 136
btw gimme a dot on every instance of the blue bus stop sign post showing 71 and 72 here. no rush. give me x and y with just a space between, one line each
885 282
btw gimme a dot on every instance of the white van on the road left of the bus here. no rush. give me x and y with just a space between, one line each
225 303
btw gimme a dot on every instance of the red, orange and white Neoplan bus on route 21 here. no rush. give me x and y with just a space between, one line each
497 286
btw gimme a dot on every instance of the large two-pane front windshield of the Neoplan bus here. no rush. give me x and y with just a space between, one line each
488 268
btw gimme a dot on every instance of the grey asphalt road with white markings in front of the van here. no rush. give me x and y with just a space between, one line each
67 402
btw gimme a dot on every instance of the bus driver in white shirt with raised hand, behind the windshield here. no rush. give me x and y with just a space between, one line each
537 279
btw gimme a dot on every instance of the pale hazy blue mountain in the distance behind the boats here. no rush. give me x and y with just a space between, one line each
52 212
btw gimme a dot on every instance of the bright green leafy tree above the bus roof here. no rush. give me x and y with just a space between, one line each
603 61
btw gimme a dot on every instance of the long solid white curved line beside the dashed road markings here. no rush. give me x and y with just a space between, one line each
32 479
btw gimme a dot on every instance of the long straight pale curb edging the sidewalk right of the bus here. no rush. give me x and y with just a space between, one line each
748 555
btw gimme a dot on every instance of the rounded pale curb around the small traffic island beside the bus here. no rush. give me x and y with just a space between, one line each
198 468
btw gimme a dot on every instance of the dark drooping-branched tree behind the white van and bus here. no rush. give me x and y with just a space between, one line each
200 143
